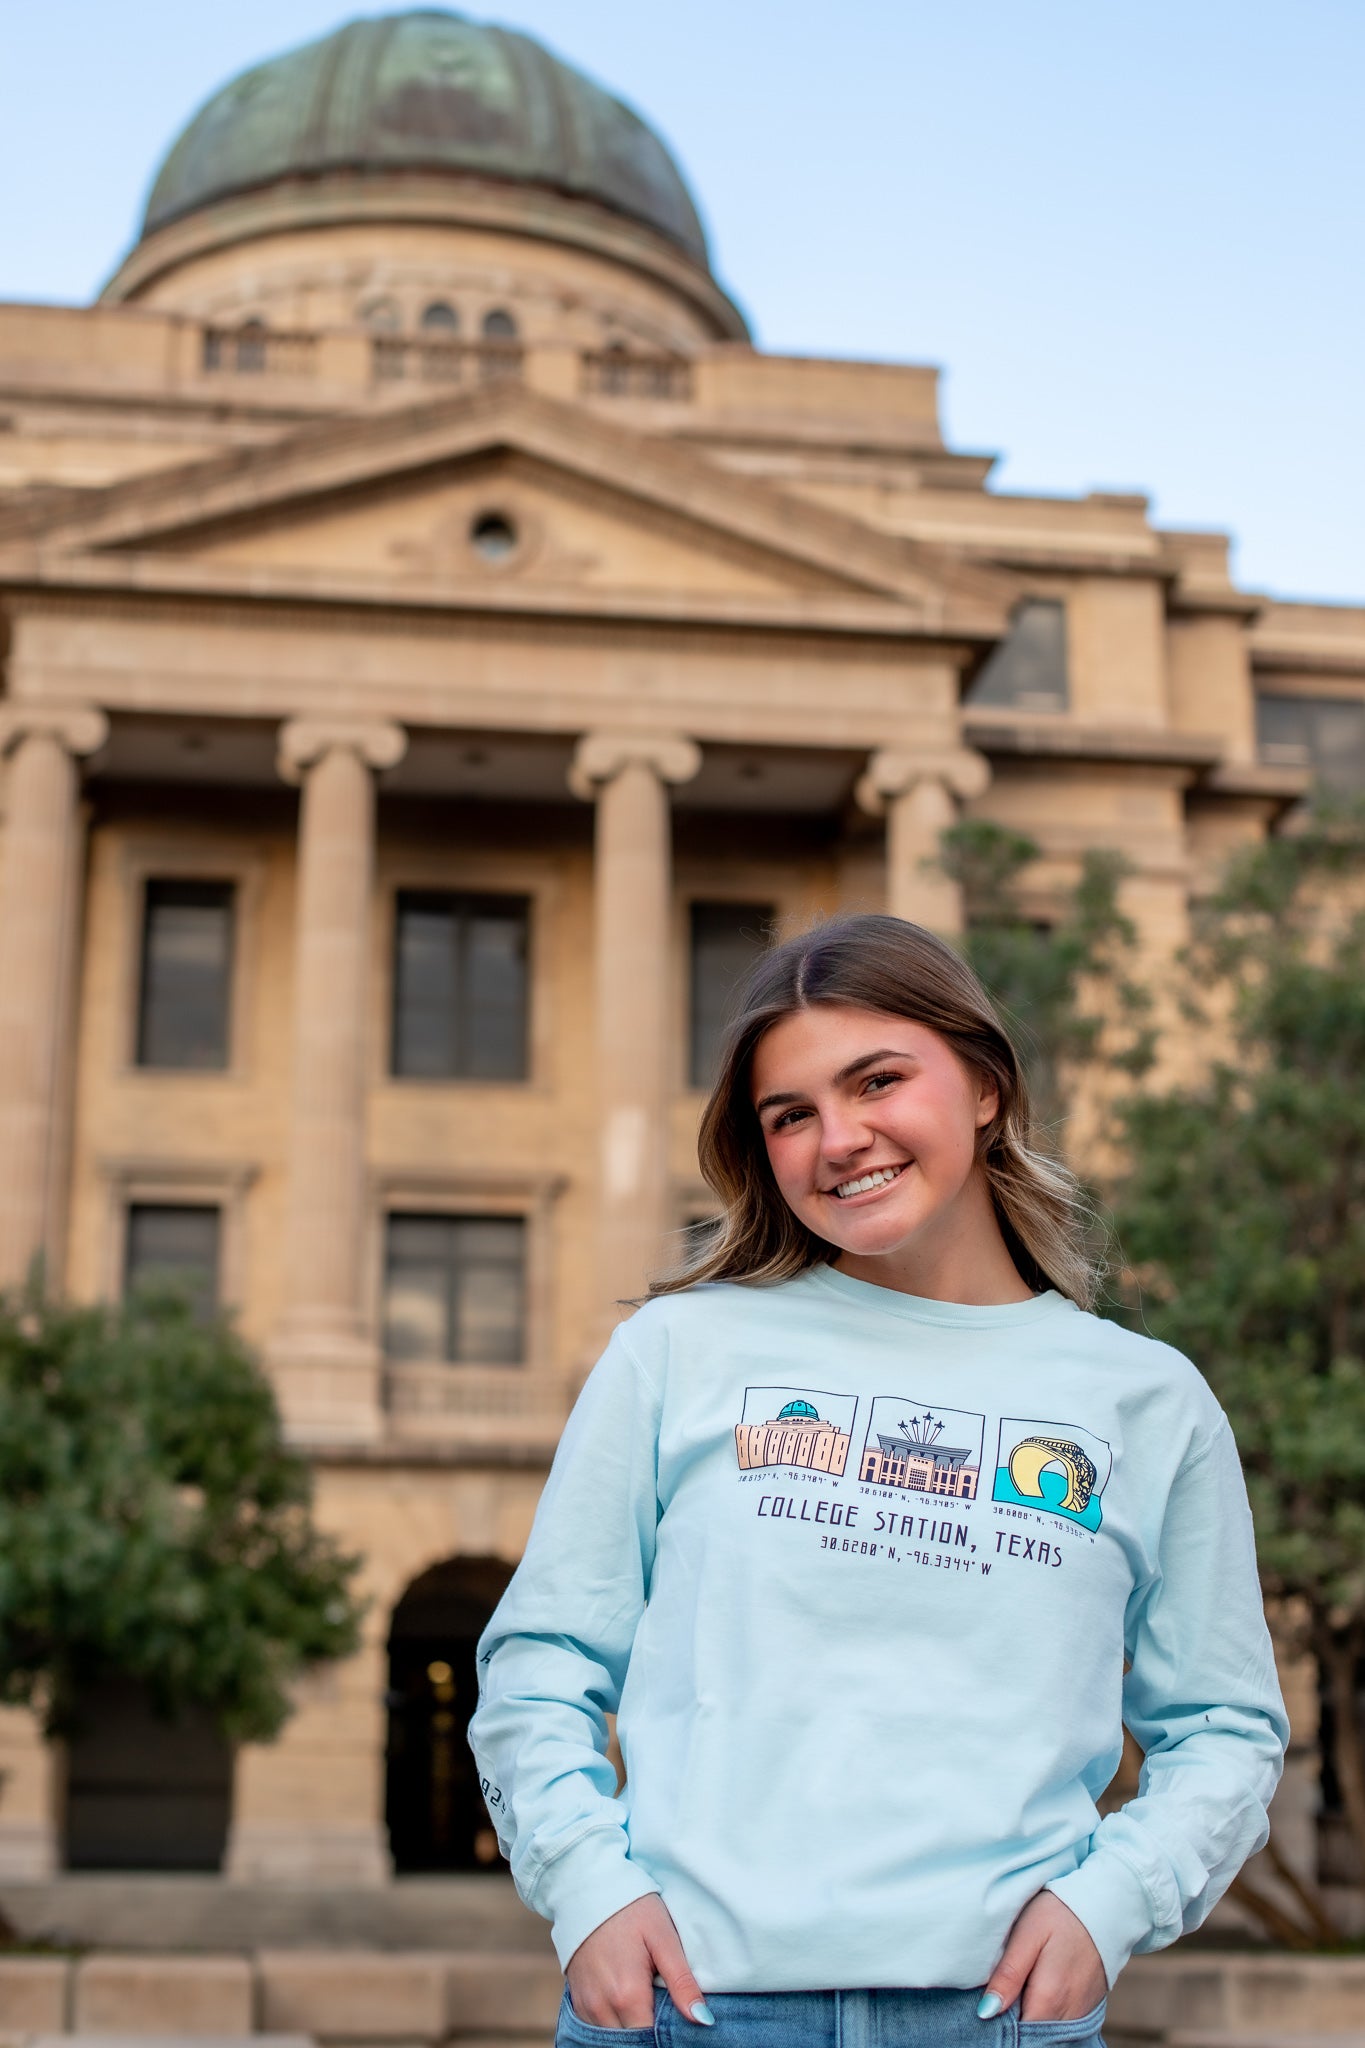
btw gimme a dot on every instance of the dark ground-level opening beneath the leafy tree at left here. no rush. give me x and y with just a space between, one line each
144 1793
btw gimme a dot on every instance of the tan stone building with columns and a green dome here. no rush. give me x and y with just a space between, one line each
437 646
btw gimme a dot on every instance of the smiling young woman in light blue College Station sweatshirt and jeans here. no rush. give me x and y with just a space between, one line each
873 1537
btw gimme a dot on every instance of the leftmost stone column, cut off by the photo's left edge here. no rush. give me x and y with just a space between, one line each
40 902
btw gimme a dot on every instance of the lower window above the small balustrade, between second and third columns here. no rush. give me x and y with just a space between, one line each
455 1289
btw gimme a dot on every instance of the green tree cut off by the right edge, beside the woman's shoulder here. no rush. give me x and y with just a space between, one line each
1241 1222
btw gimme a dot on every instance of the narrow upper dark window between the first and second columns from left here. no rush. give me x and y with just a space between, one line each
185 984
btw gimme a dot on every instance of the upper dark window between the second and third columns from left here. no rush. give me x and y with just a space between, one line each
461 986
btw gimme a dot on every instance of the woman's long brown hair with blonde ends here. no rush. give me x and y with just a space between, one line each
879 964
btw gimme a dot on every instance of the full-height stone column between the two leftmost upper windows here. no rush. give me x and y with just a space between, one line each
324 1355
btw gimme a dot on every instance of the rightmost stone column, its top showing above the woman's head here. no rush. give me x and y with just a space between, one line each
920 796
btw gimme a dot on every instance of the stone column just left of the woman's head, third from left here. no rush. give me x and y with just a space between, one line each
629 775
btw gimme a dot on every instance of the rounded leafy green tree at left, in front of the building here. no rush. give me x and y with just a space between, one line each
152 1525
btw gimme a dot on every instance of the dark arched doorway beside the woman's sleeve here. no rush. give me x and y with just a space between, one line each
435 1809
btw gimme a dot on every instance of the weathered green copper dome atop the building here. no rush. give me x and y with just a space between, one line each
435 93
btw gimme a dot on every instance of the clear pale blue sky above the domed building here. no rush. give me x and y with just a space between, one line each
1133 232
